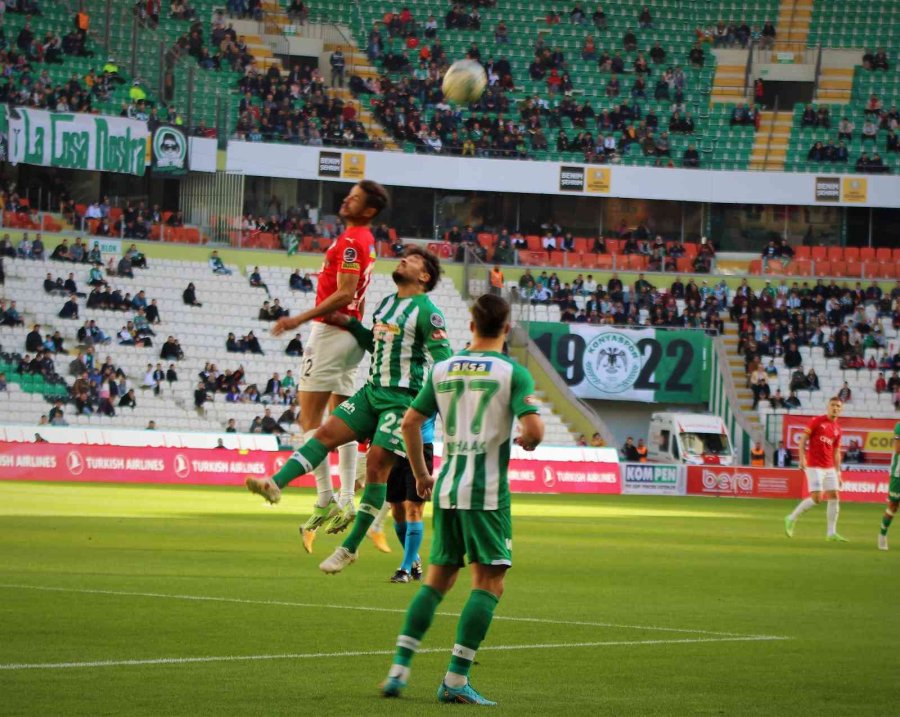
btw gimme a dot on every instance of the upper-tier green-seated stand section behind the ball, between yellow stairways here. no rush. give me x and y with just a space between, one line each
409 91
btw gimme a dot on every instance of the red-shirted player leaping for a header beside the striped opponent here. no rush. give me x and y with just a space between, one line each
332 355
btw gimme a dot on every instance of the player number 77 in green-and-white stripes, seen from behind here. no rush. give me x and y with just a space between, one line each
479 393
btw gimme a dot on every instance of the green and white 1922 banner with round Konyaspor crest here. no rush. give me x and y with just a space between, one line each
650 365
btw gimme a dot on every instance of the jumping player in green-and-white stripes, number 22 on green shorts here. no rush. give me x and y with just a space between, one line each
408 334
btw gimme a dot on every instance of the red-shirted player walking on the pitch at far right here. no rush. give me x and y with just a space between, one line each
820 459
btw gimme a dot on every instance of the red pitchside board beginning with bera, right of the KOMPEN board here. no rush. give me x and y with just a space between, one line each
747 482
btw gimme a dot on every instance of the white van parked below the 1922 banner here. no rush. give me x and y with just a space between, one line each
693 438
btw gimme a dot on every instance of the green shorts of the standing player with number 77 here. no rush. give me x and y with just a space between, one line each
484 536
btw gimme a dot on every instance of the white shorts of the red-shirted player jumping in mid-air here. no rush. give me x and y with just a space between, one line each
331 360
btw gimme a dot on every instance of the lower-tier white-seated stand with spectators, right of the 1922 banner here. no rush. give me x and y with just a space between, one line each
842 333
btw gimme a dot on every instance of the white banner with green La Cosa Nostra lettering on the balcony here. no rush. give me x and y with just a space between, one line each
76 141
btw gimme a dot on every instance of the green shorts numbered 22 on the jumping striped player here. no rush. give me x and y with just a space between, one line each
375 413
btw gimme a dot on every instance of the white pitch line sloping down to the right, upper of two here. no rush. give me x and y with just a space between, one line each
366 608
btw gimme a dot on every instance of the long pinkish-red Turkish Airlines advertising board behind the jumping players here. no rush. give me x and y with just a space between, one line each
122 464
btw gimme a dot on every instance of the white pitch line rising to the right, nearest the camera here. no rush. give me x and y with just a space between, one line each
362 653
